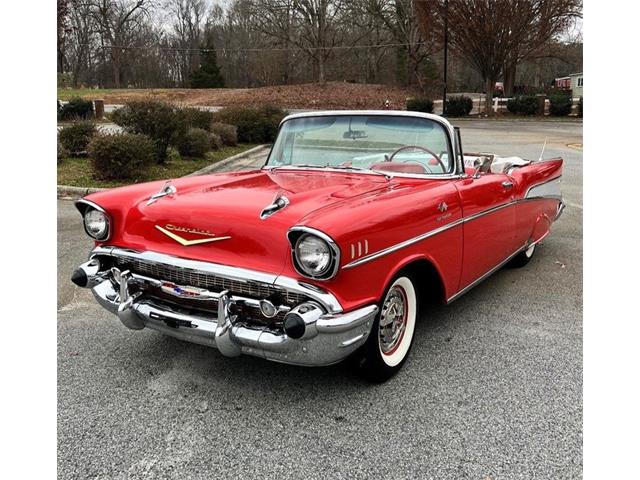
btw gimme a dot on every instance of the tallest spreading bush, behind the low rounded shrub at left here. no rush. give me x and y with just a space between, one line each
158 120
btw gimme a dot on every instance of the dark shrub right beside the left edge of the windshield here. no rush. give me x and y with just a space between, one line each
255 125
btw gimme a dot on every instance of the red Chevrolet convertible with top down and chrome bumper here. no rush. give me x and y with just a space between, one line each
329 249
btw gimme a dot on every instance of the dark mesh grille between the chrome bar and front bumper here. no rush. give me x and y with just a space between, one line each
212 282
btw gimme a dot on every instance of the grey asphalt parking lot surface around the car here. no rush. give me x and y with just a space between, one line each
492 388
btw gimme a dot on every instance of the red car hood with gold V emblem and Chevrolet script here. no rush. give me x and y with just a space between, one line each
217 218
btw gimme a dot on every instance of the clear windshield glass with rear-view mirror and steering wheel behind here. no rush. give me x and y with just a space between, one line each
374 142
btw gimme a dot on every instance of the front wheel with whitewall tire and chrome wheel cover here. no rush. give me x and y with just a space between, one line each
391 336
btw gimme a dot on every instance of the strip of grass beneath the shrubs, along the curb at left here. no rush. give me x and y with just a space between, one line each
78 172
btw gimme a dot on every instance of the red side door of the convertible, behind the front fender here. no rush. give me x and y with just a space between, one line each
489 224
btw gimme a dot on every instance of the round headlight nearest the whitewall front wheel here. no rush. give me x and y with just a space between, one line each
315 255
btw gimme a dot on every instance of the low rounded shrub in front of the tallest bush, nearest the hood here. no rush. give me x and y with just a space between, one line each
120 156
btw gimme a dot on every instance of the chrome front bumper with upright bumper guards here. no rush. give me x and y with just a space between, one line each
328 337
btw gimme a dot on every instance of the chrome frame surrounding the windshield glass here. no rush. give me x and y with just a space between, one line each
458 168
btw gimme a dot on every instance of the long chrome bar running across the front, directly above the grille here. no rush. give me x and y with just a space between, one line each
326 299
